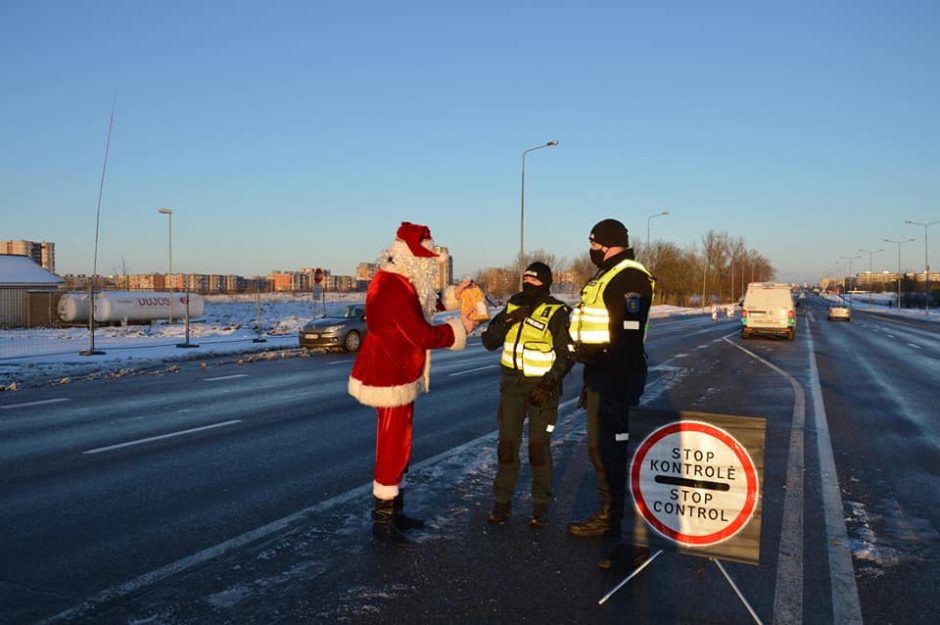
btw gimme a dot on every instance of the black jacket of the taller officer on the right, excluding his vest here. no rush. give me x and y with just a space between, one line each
618 369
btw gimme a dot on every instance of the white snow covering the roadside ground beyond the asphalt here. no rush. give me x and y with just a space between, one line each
229 326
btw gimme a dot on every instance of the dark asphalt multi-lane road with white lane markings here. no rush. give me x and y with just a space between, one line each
240 494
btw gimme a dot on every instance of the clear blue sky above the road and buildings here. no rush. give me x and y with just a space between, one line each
291 134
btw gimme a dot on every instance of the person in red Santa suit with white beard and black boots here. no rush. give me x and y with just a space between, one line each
393 363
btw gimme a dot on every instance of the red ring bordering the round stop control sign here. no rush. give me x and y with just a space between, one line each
750 472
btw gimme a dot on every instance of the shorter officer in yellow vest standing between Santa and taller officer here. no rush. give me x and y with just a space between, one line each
532 332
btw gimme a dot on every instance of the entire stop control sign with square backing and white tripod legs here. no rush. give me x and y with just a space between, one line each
696 479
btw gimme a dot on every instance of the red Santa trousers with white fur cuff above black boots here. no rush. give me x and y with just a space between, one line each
392 449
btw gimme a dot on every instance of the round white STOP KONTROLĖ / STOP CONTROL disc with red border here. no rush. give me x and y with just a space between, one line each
694 483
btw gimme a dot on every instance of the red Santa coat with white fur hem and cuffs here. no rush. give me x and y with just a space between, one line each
391 368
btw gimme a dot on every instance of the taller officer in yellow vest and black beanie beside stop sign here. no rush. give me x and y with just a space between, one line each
608 328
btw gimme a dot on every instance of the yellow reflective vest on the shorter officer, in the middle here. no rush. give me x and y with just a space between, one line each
528 346
